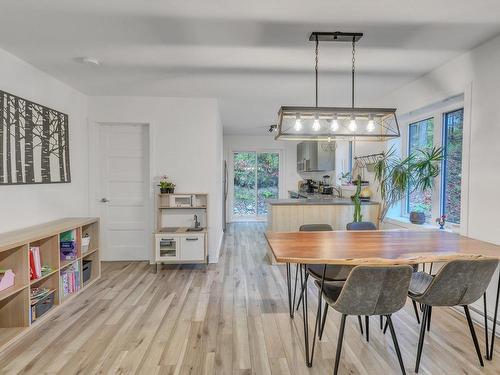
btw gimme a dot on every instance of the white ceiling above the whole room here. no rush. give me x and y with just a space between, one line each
252 55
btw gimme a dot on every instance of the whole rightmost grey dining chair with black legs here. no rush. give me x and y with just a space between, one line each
458 283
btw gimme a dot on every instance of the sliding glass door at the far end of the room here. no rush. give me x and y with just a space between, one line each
256 178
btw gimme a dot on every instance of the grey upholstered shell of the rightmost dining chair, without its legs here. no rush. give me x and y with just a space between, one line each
459 282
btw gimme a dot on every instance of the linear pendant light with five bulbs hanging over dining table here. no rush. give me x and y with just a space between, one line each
346 123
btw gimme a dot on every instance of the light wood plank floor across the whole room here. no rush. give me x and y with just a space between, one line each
229 318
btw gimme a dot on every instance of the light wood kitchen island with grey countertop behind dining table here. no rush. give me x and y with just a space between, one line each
287 215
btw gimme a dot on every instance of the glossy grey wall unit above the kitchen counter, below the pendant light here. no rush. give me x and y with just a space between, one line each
315 156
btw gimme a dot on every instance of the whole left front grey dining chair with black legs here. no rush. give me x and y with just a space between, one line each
369 290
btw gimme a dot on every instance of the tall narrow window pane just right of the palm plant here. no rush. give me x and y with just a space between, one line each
452 165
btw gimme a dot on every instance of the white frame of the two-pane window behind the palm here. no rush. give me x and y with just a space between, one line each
438 113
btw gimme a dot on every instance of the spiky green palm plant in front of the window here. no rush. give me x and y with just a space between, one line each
398 176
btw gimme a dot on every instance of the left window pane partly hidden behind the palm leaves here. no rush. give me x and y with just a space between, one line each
420 137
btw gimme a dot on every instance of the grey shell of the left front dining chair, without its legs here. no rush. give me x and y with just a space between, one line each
374 290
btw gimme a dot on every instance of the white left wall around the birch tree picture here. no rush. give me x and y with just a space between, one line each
24 205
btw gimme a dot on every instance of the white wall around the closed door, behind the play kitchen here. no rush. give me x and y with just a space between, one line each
186 144
